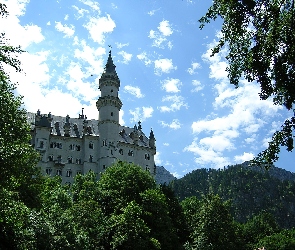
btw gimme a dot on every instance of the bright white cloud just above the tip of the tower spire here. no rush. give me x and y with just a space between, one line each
98 26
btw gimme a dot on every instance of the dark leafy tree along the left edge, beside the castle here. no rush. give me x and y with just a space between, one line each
17 157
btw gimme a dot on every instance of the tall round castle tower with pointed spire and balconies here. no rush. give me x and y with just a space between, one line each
108 106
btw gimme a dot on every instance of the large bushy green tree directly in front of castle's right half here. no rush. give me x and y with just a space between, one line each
137 210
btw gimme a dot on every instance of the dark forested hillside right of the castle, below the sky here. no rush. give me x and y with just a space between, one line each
249 190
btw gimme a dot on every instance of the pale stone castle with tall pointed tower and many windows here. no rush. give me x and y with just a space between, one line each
71 146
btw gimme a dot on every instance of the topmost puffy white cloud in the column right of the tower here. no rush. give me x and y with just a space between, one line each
160 37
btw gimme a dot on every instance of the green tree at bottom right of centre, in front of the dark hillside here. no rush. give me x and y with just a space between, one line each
211 224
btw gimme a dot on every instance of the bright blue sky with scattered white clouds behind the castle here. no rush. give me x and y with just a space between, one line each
169 81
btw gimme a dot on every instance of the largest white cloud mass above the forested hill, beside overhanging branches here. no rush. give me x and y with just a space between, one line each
243 113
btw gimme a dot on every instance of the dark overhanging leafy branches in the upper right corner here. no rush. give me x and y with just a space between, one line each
260 38
